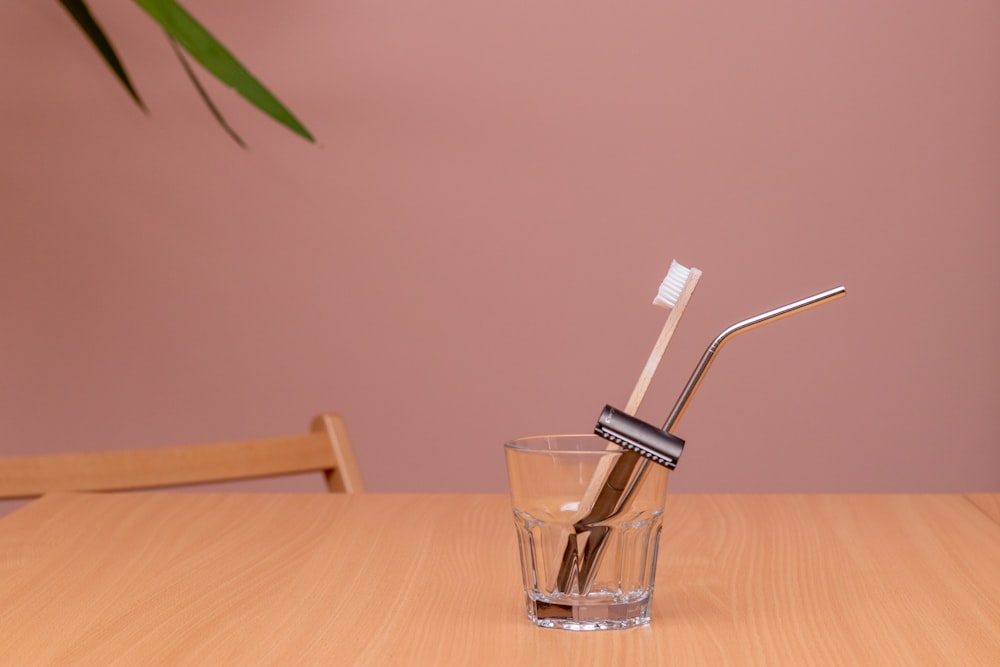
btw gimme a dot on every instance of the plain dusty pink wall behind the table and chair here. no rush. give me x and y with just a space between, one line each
470 252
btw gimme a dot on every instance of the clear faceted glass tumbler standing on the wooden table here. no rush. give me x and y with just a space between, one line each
582 572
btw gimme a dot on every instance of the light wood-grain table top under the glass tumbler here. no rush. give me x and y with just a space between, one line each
214 579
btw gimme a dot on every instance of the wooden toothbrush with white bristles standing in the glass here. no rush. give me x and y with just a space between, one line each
674 293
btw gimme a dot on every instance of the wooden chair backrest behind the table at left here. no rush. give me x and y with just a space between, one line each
325 449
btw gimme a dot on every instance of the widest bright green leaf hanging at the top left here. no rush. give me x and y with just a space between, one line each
215 58
